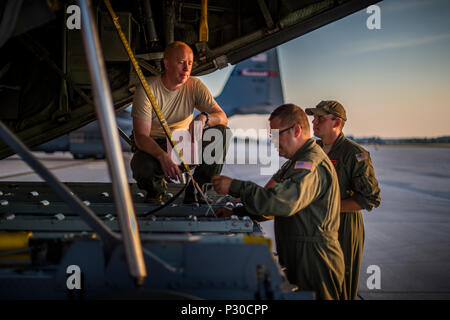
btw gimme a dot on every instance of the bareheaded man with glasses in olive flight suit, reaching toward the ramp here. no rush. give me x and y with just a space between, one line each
303 196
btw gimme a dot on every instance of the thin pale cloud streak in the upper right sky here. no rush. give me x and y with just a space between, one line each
403 43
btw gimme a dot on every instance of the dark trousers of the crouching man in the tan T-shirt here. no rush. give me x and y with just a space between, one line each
149 176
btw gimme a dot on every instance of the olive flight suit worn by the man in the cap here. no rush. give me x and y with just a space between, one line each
356 179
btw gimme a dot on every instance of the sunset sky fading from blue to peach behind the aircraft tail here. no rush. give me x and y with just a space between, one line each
393 82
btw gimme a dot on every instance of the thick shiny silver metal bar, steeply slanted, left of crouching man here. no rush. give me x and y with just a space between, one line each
107 121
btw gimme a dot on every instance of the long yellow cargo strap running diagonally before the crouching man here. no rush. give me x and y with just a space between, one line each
150 96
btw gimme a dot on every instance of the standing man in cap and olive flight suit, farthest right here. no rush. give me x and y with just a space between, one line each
358 185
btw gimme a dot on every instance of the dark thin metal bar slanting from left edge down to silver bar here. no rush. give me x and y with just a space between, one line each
110 240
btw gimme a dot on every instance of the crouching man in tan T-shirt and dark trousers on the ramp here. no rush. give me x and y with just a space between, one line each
177 94
